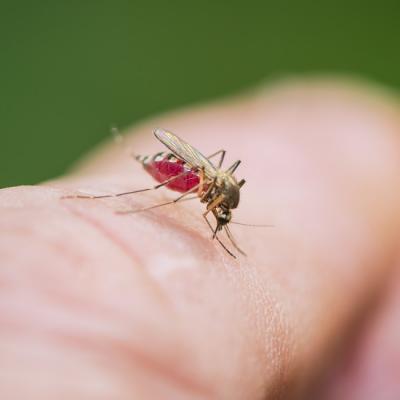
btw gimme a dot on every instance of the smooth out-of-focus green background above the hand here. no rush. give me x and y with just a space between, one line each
70 69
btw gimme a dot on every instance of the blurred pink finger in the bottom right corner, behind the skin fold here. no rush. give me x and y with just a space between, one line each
367 366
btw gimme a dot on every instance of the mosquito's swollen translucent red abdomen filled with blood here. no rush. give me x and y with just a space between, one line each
165 168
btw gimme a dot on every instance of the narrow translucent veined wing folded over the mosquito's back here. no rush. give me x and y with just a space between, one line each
185 151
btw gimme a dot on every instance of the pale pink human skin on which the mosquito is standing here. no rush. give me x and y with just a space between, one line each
95 305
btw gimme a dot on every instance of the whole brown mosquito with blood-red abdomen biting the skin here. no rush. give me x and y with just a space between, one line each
186 170
